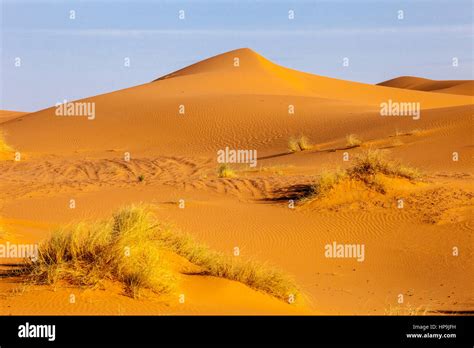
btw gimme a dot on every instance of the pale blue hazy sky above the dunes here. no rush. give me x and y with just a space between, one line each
71 58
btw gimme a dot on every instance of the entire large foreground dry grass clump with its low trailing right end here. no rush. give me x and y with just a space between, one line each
129 248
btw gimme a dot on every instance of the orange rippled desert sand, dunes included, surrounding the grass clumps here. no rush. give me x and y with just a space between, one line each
408 251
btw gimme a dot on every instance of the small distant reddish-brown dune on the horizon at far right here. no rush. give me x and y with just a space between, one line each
462 87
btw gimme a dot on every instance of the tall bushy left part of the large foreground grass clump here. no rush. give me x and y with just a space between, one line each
121 248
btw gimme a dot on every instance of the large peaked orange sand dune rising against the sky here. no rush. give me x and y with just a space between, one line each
224 104
